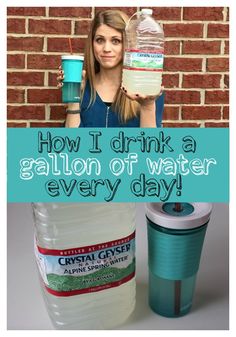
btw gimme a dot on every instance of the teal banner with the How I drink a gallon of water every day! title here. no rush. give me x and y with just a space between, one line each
118 165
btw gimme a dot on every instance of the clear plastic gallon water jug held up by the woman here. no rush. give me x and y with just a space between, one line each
144 54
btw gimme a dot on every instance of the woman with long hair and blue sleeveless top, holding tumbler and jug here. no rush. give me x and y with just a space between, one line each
104 103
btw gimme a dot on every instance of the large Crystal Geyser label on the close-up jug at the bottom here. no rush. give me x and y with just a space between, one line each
87 269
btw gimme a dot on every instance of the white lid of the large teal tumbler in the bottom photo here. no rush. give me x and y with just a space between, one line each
199 216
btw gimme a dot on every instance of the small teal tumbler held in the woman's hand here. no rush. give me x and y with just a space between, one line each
72 66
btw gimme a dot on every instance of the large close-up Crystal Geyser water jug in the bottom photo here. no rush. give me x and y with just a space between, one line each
86 260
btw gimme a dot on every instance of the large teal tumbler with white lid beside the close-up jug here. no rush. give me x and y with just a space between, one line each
175 239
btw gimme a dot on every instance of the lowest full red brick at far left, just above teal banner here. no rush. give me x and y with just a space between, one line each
26 112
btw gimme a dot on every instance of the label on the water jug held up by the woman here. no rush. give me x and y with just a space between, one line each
143 60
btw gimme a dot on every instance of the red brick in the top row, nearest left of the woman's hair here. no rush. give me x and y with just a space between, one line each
71 12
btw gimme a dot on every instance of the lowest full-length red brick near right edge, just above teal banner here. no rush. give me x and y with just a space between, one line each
201 112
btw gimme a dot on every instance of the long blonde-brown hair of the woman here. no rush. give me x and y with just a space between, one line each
116 19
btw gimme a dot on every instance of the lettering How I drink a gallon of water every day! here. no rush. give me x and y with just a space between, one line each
58 162
